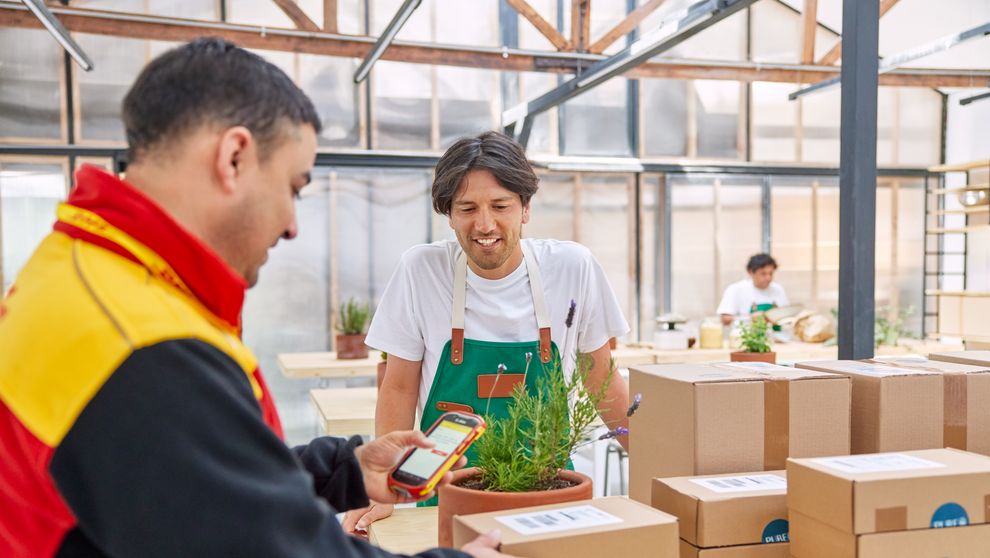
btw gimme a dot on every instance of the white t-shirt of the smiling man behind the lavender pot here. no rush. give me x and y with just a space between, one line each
413 317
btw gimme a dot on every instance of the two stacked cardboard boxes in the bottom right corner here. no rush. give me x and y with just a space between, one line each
892 505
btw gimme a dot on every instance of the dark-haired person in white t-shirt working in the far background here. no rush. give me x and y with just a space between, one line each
758 293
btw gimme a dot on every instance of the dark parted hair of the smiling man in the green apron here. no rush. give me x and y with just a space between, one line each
494 152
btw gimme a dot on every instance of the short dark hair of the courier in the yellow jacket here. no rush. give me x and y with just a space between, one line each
212 81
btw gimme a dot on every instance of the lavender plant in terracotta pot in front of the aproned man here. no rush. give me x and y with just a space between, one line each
522 458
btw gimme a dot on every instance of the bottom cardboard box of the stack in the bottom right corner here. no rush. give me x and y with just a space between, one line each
814 539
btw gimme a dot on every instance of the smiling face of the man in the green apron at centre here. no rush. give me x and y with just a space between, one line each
487 219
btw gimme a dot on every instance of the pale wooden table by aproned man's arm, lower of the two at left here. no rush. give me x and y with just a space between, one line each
346 411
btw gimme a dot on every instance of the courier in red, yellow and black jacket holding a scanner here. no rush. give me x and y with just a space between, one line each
134 422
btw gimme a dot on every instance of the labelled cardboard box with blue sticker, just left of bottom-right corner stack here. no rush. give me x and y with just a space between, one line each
726 510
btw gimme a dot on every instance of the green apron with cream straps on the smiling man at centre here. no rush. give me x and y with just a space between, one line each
467 376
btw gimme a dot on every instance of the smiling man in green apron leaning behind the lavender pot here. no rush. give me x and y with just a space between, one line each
464 321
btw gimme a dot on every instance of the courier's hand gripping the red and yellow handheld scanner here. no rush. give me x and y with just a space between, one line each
378 457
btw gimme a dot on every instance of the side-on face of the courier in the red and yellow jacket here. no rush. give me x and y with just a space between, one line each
264 211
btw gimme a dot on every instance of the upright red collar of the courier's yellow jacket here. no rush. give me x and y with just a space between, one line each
211 280
